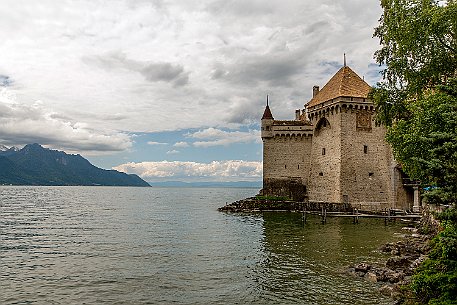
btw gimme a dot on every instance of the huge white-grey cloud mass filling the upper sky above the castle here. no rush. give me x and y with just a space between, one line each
91 61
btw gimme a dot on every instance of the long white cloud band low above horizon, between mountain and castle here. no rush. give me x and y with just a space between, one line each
214 171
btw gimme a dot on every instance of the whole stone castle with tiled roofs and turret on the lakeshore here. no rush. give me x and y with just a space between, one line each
334 151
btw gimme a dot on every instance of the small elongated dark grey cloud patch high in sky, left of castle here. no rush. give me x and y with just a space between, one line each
152 71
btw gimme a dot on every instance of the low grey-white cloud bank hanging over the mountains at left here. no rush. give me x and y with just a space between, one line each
22 124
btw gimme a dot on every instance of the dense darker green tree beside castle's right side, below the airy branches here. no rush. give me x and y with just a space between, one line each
426 142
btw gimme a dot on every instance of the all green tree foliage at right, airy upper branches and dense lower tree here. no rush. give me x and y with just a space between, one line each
417 98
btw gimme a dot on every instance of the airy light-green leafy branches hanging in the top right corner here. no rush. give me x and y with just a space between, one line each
418 48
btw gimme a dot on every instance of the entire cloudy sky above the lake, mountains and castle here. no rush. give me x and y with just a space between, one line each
171 90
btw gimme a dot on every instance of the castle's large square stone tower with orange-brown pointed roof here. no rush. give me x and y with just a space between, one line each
352 163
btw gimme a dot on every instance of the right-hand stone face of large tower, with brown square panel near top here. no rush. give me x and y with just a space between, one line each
366 158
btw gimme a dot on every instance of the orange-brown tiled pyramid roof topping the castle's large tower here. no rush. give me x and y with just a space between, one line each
344 83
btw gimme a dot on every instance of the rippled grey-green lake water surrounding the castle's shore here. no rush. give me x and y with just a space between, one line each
110 245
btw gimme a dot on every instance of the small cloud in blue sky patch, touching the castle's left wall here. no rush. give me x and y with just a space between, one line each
218 137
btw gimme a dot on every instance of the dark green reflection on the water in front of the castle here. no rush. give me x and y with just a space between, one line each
305 263
